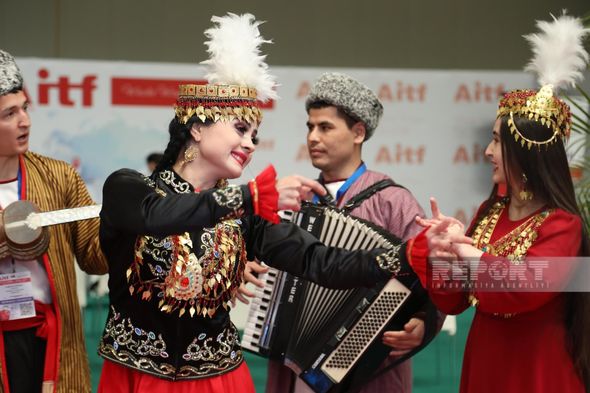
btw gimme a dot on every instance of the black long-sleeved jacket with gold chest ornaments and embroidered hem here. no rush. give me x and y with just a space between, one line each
176 259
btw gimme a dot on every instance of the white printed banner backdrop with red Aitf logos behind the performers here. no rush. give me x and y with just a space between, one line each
101 116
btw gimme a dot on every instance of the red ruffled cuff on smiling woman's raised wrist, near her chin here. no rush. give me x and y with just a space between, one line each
265 197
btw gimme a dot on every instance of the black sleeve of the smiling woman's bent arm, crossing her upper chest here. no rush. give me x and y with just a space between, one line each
131 205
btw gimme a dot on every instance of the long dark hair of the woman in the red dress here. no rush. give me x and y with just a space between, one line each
548 176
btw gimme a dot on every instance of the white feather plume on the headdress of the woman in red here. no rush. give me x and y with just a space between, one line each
559 54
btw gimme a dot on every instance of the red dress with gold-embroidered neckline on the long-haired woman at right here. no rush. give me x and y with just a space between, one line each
517 341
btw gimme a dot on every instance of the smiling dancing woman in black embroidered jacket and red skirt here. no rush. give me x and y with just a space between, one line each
177 243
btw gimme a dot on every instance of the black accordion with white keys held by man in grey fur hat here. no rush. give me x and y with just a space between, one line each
331 338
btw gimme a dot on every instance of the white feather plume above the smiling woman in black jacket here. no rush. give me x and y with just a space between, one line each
234 54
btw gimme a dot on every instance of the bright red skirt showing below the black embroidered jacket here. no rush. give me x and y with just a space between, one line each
120 379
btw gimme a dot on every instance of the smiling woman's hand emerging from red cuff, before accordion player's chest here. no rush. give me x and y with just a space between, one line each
294 189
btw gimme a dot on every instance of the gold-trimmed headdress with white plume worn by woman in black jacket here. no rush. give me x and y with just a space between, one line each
238 78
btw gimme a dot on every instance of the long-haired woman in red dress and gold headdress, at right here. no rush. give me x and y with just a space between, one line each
535 339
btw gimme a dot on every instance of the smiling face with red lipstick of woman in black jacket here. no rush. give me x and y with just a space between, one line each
225 148
